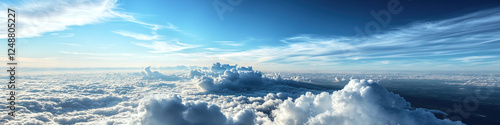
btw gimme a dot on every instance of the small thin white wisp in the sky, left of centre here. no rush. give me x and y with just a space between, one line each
164 47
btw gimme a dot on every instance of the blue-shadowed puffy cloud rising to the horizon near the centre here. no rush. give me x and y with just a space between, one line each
226 77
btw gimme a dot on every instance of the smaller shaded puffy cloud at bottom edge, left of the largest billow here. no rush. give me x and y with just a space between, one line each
172 111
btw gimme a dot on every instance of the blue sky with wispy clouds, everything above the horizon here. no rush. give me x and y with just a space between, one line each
269 35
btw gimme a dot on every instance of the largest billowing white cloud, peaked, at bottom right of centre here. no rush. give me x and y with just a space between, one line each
360 102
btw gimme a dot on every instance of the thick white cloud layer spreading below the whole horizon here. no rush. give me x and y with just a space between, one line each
237 96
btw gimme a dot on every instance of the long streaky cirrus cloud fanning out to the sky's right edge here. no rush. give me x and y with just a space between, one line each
475 34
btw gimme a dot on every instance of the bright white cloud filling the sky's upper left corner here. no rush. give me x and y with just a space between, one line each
40 17
